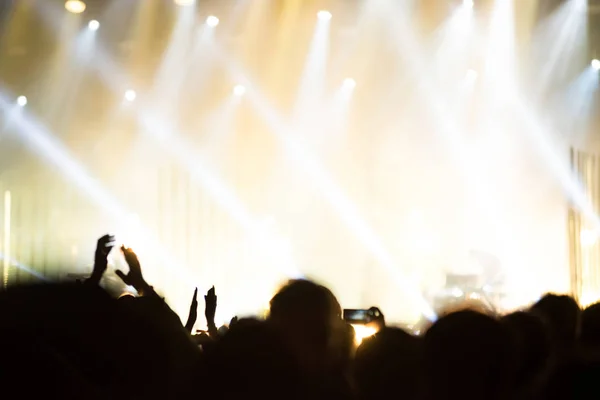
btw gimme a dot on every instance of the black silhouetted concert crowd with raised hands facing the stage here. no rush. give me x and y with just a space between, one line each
75 341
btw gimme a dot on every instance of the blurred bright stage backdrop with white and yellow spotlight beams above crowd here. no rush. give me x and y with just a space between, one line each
374 145
